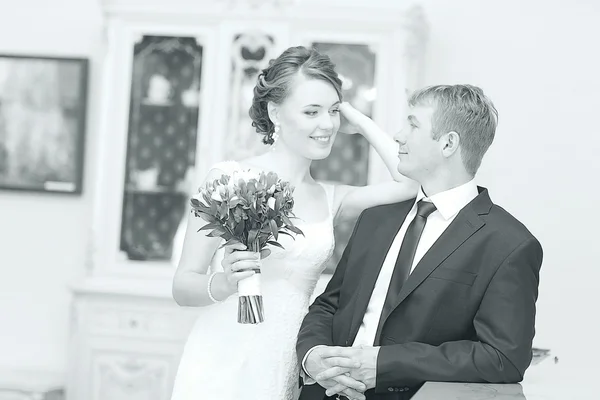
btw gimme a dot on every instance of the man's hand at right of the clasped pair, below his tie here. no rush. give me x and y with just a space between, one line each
365 373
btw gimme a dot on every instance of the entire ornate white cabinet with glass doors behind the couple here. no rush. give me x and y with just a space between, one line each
177 84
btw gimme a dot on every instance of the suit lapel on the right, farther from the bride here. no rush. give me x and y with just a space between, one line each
466 223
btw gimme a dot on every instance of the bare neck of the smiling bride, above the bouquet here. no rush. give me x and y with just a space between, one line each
288 165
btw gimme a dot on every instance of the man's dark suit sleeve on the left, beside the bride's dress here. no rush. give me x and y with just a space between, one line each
316 328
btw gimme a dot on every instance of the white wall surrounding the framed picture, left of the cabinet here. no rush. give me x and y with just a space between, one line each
43 237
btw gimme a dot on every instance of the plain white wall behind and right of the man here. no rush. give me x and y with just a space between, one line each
539 61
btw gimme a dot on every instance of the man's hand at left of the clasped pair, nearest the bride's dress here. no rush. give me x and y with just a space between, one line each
338 367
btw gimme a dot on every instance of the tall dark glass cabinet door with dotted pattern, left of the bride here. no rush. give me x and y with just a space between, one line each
161 144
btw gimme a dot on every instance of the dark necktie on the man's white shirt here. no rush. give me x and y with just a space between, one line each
405 258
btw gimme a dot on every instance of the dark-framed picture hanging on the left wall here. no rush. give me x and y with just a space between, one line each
43 103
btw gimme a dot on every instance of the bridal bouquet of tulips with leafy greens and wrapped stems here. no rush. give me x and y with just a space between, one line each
252 209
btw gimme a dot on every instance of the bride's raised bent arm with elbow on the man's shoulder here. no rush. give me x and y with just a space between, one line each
350 201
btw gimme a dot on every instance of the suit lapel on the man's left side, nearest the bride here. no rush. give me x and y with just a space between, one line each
382 239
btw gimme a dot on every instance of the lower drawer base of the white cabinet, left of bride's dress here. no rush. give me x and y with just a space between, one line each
125 342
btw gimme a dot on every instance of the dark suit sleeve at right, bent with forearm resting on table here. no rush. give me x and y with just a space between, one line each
504 324
